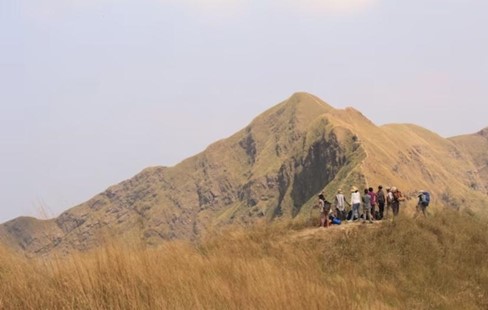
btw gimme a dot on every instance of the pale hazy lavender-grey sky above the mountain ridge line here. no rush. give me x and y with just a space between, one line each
94 91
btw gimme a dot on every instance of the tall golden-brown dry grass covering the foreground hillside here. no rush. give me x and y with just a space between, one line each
435 263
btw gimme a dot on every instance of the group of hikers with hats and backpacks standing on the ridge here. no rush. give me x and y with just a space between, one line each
367 206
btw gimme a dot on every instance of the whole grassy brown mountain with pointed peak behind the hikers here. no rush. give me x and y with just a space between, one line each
273 168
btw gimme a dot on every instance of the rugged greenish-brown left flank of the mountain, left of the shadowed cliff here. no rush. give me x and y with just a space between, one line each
200 192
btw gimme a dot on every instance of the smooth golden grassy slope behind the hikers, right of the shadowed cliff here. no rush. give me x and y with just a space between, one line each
413 158
